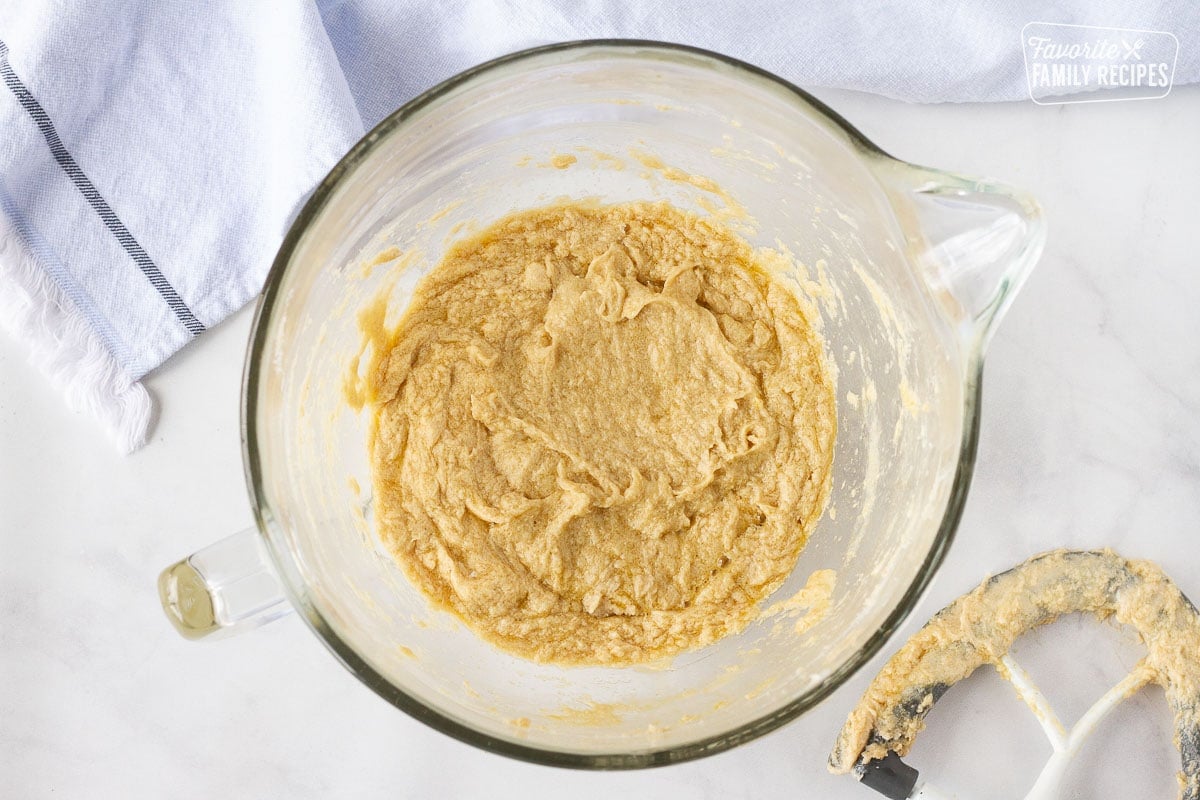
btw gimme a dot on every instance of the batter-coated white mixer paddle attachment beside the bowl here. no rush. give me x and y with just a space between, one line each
981 628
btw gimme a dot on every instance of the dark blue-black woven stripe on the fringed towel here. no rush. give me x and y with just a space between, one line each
82 183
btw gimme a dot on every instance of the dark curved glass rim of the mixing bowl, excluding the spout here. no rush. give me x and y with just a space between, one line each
285 563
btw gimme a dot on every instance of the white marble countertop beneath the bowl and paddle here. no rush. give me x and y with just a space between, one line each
1091 437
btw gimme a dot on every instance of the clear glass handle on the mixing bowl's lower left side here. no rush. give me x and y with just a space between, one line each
225 588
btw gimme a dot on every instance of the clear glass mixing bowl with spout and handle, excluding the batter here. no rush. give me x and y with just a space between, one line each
908 268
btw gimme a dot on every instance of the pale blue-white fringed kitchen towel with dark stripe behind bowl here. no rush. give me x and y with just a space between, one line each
153 154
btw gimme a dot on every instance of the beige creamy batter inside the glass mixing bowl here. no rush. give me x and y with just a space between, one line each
603 435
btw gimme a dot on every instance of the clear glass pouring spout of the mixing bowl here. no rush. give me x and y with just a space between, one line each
974 240
